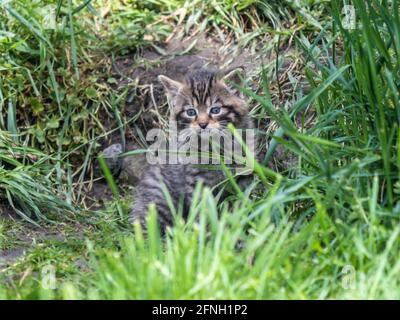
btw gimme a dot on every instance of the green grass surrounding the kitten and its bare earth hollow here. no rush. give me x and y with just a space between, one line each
326 228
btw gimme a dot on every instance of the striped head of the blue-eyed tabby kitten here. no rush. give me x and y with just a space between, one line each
205 101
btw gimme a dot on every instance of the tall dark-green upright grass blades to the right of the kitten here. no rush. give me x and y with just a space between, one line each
354 79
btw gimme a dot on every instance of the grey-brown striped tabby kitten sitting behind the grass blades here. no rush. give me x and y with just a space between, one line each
204 101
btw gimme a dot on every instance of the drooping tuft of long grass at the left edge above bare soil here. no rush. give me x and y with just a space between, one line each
26 184
